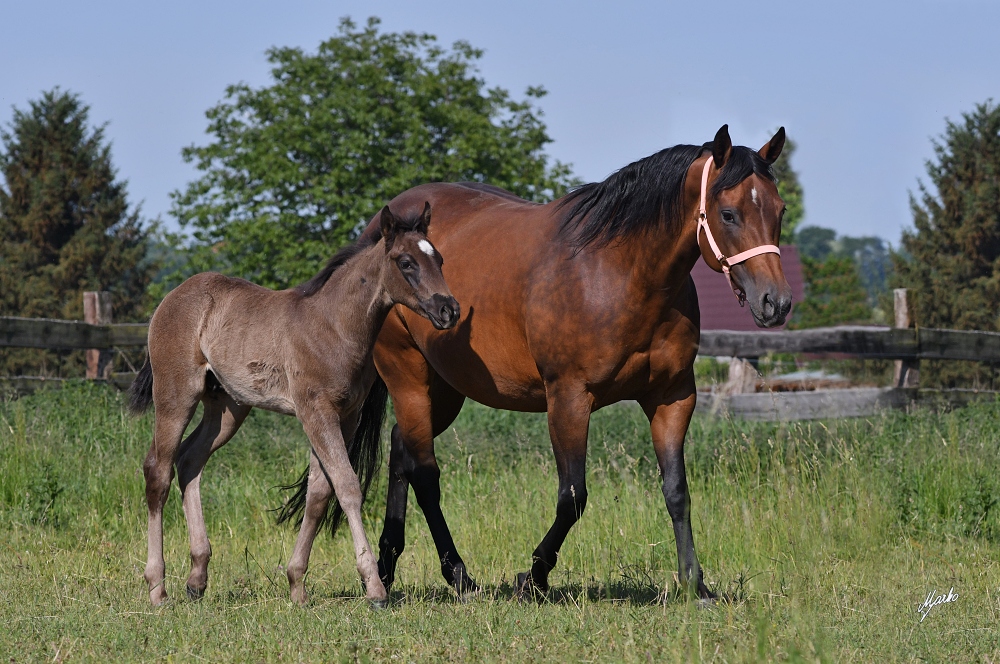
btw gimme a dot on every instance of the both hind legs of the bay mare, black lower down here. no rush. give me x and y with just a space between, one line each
425 406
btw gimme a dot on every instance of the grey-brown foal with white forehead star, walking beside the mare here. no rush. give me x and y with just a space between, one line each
306 351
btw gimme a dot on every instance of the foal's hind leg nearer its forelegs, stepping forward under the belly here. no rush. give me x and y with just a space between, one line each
223 417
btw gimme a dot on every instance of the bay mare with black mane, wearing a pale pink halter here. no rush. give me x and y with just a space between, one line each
571 306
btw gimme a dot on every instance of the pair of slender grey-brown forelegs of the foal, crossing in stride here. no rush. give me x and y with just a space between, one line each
330 451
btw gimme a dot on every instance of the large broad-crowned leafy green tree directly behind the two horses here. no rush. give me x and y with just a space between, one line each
295 168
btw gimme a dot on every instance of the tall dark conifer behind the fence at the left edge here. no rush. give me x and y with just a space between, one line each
65 223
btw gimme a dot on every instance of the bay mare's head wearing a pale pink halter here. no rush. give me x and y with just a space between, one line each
741 214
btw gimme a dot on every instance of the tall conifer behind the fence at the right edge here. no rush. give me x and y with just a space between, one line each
951 259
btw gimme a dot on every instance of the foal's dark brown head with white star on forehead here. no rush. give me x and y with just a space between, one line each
413 277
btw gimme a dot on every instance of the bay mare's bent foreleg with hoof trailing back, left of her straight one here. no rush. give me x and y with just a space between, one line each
569 408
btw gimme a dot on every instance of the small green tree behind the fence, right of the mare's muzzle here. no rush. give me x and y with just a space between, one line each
834 294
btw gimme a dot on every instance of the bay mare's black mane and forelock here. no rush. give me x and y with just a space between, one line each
647 194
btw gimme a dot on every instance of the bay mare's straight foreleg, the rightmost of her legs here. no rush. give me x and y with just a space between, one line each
669 414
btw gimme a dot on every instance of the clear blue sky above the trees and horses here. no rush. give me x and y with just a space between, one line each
862 87
